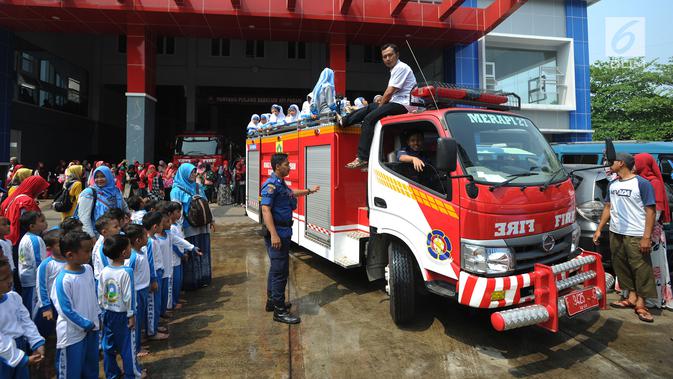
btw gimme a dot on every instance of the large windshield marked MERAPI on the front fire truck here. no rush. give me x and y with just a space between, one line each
495 147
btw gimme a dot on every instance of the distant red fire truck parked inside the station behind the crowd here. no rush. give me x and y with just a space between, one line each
199 147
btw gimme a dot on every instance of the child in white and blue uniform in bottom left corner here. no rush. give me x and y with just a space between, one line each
17 331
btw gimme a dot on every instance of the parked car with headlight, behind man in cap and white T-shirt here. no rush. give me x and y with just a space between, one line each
591 187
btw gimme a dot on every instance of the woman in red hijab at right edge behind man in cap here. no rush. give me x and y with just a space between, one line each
647 168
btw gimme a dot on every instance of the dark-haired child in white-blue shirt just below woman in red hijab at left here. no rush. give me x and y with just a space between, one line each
32 251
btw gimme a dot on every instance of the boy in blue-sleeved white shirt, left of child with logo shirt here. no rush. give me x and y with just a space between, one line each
74 297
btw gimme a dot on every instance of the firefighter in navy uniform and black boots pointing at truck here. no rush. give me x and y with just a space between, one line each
278 202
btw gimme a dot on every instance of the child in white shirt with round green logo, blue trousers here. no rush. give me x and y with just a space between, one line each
116 297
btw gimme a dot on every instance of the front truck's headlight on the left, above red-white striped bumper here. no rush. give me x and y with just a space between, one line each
486 260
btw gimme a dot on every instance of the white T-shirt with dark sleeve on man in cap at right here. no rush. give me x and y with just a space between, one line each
628 199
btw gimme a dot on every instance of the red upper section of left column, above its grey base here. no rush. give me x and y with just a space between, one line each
140 61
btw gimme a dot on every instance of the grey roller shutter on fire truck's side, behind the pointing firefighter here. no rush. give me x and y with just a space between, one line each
318 205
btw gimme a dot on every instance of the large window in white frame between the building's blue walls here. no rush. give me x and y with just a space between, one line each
531 74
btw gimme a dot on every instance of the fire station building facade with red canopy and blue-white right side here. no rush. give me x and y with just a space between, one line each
124 78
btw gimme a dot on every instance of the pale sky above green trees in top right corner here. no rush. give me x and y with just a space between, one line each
632 28
